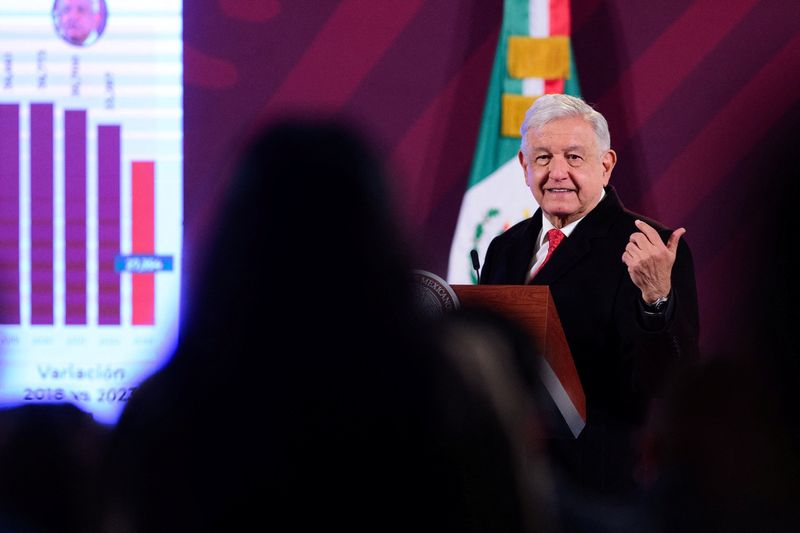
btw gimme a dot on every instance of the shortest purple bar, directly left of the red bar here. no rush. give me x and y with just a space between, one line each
108 217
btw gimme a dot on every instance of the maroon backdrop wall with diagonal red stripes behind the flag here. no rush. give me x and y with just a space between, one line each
702 99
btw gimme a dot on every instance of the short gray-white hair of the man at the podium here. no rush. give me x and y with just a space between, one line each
550 107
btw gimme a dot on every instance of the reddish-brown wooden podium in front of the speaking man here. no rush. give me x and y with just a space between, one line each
533 308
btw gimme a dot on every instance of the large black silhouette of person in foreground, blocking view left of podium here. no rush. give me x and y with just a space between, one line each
305 390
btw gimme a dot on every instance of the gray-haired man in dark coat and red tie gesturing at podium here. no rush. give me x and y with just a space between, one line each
623 286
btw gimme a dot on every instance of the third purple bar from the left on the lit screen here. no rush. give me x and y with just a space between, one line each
75 215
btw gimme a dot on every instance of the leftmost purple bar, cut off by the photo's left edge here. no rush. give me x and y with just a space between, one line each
9 214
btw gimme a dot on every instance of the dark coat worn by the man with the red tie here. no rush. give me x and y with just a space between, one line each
621 354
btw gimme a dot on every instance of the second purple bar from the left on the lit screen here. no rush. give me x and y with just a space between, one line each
41 214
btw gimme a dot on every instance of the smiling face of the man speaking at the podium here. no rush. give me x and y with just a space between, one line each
565 169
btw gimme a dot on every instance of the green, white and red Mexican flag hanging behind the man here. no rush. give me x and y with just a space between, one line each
533 57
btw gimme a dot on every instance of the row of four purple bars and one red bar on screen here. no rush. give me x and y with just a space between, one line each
42 222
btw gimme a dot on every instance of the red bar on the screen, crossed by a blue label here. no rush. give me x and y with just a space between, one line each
143 240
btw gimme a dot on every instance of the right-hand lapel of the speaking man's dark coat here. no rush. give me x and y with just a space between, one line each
596 225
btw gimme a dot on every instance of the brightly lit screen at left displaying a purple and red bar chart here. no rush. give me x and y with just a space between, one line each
91 195
